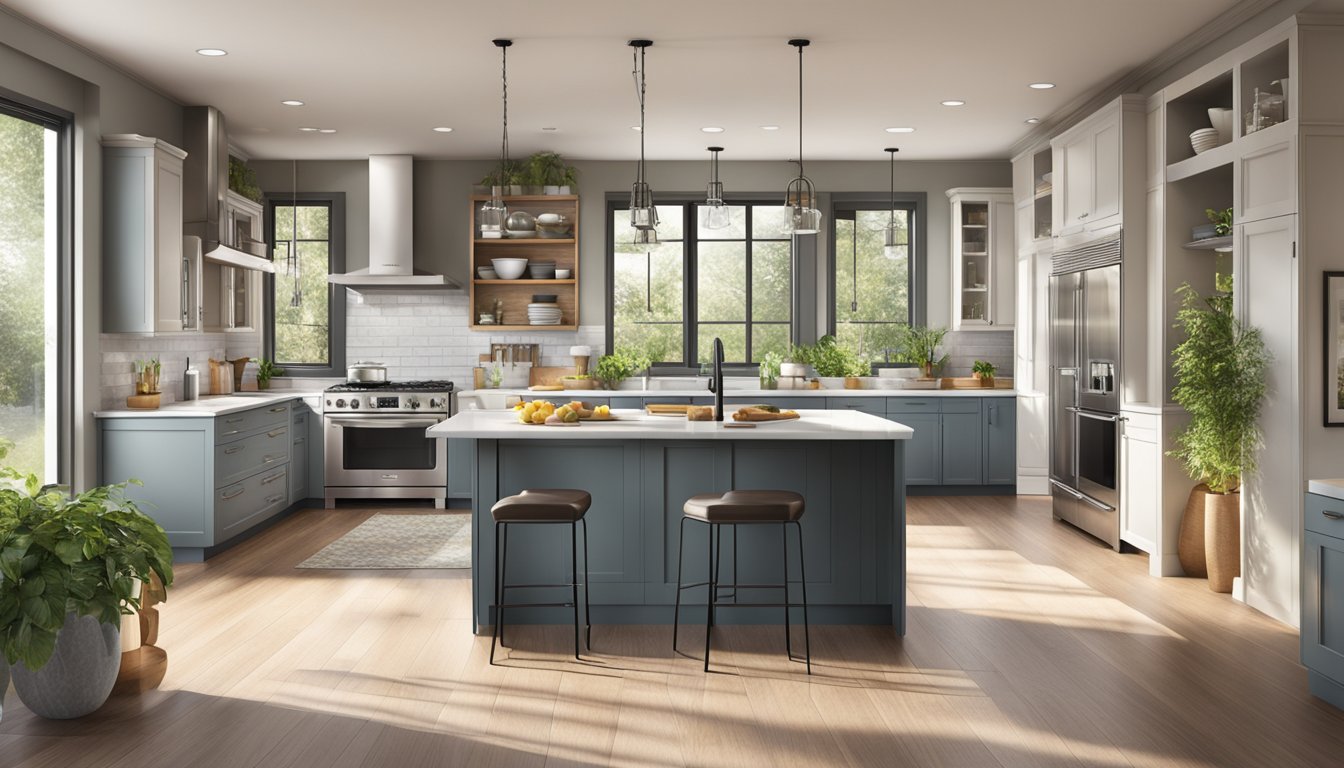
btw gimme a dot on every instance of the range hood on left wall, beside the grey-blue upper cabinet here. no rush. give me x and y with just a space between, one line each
205 185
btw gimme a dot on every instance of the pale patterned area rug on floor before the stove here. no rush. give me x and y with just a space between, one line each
401 541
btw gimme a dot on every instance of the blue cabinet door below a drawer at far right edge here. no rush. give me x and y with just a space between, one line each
1323 606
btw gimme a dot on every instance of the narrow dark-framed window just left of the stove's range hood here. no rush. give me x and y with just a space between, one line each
307 314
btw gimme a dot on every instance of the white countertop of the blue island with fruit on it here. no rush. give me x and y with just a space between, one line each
639 426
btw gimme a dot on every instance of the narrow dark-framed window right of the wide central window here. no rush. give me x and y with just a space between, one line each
874 294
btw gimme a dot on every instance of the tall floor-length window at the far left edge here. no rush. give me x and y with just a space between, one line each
36 283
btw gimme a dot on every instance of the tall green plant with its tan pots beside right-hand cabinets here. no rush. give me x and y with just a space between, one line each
1221 383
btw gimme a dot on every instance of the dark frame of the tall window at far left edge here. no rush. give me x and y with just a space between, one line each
64 124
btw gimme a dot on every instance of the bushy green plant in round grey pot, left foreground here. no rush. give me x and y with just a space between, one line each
71 567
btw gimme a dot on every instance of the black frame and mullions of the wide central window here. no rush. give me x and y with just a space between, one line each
690 255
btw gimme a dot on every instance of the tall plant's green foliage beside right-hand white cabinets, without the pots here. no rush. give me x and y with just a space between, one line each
1221 381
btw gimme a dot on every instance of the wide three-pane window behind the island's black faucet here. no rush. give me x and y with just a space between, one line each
673 301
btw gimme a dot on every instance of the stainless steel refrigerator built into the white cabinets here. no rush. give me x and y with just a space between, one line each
1085 401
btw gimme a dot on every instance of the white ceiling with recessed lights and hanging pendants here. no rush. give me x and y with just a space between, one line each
385 73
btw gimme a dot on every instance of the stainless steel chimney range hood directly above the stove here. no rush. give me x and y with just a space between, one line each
390 241
